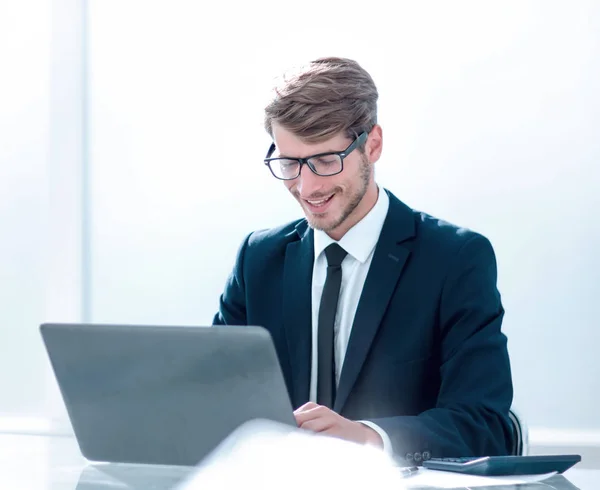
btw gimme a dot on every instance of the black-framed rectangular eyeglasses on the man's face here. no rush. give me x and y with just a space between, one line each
323 164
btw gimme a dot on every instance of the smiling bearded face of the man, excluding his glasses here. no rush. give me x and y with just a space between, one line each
334 203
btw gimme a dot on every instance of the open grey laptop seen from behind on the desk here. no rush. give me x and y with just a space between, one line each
163 395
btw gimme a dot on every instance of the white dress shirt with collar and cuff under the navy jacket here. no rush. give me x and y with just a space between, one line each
360 243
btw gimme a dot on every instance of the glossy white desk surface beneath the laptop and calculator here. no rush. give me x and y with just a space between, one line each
54 463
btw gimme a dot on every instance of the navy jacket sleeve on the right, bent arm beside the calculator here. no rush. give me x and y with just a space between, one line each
471 414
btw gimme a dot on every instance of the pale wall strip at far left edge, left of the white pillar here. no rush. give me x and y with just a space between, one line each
24 132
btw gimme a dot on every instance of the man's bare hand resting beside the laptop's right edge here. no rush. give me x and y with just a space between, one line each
322 420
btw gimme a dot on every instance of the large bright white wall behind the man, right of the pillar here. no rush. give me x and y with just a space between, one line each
491 120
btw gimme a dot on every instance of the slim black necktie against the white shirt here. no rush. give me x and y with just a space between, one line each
329 300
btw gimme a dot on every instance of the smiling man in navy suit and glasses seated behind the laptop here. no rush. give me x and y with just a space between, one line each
387 321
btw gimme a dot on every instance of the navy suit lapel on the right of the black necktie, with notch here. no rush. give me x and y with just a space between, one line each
388 261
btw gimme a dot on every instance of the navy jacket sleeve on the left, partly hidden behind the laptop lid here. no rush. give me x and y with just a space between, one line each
232 303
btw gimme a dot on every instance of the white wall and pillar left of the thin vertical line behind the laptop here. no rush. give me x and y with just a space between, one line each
41 158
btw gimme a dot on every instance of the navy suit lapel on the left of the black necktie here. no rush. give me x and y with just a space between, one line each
297 312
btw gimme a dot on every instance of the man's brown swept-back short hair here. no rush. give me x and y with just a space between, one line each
324 98
